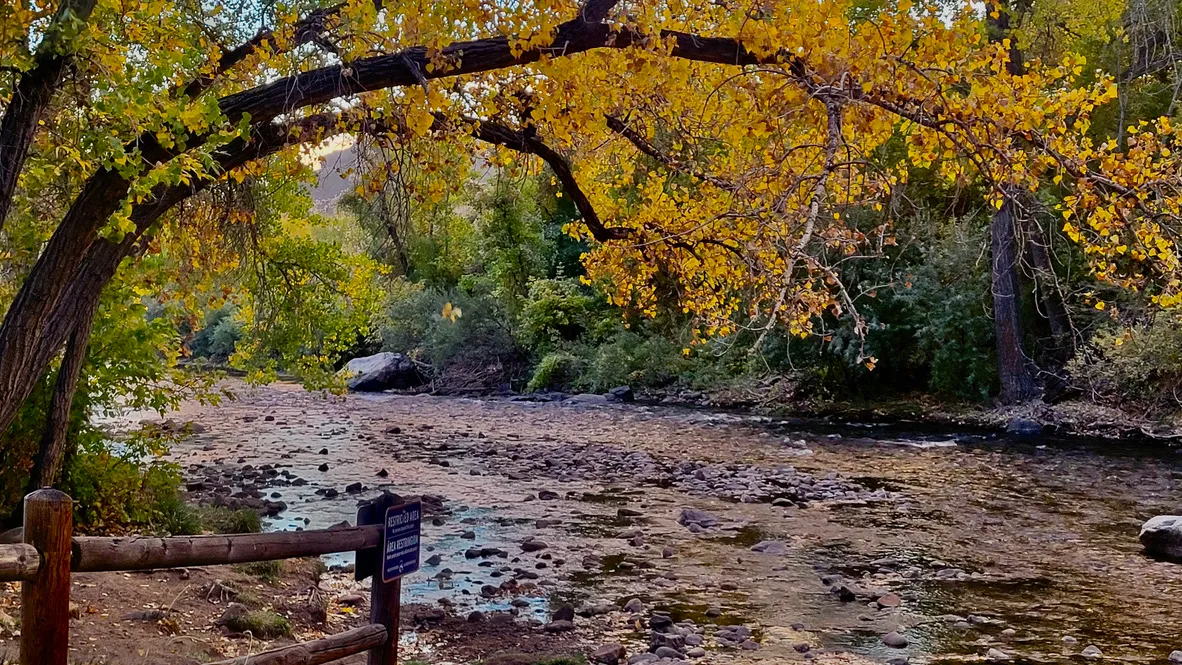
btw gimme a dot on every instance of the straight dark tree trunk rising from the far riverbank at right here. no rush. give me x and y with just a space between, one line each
1018 382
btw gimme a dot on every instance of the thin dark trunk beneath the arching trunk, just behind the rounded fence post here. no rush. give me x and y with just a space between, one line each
53 452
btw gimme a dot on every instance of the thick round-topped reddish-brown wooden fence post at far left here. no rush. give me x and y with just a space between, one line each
46 599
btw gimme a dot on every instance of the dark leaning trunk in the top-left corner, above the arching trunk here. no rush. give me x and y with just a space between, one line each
34 95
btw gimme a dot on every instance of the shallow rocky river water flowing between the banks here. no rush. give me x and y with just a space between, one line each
1027 547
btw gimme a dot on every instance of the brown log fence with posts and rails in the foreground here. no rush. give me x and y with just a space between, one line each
43 565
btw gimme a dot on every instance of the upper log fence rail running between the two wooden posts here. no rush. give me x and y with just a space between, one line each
103 555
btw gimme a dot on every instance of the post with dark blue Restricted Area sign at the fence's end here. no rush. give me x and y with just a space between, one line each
398 557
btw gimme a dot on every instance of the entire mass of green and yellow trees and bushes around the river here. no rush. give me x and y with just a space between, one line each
793 204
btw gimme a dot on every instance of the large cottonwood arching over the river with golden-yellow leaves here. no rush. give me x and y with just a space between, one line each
718 146
